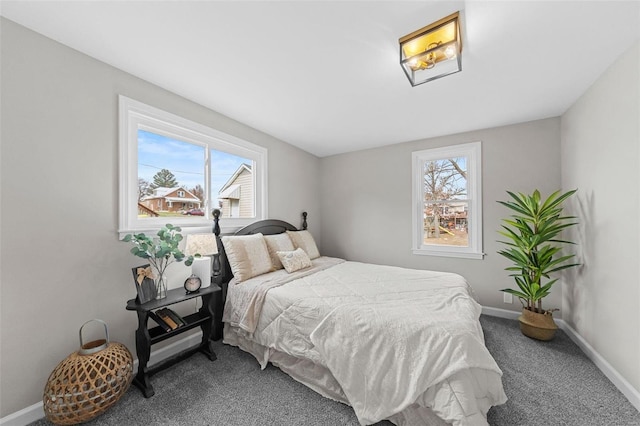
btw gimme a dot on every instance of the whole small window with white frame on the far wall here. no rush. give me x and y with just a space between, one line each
447 201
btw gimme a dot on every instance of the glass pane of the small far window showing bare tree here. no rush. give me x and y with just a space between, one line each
445 202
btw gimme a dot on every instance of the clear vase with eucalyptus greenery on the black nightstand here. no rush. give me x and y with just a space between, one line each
160 252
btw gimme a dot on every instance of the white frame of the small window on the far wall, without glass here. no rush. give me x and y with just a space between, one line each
473 152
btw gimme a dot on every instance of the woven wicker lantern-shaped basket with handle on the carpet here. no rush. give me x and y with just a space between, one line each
88 381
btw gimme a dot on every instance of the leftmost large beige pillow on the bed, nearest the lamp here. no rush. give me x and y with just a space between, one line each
248 255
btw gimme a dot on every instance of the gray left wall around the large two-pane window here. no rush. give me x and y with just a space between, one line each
62 263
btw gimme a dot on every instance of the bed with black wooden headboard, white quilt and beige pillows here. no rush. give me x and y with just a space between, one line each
394 343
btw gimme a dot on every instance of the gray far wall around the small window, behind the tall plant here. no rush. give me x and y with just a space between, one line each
366 201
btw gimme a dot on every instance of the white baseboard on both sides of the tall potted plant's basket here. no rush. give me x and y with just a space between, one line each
631 393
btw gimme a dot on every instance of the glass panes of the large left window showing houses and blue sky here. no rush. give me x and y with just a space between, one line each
171 179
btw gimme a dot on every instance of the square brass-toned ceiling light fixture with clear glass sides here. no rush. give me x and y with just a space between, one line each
433 51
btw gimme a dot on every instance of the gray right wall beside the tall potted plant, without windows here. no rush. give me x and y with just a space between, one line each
600 155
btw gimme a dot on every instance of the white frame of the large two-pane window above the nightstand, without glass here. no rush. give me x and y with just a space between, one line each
135 115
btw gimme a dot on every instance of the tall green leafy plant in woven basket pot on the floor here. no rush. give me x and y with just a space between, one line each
534 247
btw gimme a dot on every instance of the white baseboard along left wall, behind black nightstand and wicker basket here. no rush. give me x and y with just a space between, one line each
36 411
